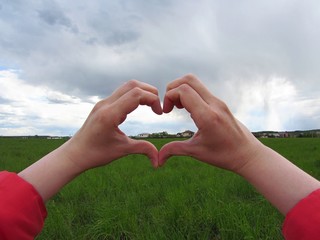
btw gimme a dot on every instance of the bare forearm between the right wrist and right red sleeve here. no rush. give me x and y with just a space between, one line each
280 181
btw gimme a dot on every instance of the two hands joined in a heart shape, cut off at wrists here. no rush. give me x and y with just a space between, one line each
216 141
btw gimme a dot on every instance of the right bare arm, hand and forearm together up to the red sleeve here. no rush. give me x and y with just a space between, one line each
222 141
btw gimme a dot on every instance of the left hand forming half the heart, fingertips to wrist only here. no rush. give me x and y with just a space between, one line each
100 141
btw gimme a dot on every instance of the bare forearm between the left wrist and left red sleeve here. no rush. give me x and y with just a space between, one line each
52 172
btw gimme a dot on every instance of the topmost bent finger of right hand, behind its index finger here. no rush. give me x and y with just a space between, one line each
195 83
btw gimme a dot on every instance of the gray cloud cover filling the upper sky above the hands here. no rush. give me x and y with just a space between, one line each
89 49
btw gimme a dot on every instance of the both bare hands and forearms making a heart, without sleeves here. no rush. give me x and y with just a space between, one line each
221 141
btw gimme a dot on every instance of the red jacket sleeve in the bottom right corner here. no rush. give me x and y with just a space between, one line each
303 220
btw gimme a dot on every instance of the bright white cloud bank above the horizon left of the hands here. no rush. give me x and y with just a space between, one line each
30 110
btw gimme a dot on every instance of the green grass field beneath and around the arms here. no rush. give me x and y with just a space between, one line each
185 199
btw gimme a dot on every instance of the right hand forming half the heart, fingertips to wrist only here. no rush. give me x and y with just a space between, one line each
219 133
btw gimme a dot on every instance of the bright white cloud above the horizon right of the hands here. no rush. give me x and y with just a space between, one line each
275 104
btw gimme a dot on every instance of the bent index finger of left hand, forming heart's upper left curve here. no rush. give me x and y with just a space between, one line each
132 99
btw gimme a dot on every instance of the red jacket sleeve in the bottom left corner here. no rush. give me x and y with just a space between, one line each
22 210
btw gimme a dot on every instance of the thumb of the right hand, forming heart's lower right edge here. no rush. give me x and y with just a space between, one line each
176 148
